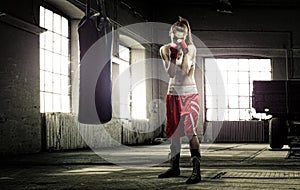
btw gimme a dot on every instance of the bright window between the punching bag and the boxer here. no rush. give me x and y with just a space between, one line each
131 88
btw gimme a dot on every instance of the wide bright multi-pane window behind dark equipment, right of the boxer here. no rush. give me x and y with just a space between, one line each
229 85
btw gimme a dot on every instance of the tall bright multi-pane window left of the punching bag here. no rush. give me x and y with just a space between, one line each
54 62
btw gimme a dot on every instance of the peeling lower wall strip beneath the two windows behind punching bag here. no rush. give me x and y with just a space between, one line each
63 132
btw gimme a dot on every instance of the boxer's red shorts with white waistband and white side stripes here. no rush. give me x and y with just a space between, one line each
182 111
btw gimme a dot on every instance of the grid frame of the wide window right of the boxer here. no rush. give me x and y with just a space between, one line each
226 115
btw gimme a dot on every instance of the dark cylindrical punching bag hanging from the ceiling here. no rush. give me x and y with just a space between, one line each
95 82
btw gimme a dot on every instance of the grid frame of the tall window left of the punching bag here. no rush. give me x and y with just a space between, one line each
60 55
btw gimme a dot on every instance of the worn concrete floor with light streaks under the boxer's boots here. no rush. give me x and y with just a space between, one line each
224 166
